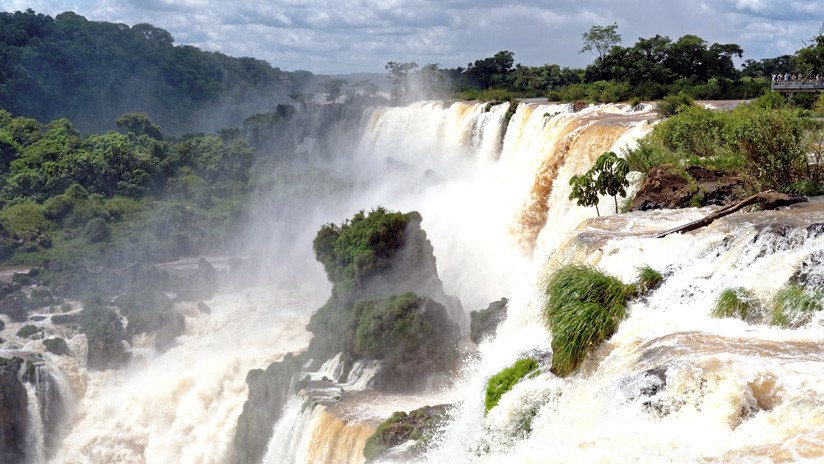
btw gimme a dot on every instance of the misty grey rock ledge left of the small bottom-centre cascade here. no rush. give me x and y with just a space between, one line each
268 392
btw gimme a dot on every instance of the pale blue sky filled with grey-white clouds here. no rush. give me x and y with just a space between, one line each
342 36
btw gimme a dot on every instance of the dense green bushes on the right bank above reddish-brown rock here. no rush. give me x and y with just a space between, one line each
765 142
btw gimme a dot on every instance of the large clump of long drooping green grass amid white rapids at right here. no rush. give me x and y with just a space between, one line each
583 308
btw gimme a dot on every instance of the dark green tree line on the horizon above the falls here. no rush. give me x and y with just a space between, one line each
649 69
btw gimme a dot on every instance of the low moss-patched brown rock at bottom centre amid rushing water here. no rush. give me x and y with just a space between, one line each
419 426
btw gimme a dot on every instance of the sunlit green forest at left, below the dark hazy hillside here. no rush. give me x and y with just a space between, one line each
63 195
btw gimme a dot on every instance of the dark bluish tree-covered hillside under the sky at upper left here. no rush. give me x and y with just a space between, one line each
91 72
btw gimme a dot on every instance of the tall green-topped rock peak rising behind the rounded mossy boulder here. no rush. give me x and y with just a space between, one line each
372 255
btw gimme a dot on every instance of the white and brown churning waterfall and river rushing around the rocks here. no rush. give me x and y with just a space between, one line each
493 194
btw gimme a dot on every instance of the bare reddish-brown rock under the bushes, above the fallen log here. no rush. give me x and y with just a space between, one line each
666 187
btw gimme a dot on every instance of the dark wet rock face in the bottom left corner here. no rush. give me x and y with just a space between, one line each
13 412
